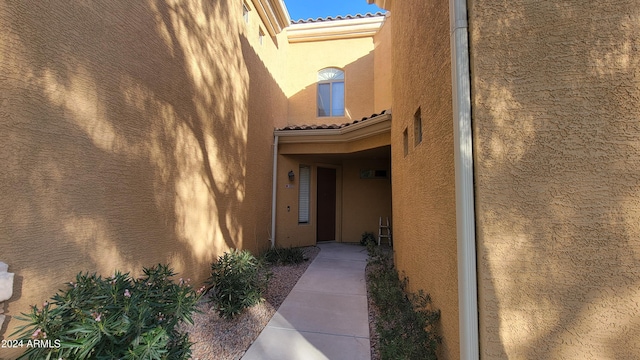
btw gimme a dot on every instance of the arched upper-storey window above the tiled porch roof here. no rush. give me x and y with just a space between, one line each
331 92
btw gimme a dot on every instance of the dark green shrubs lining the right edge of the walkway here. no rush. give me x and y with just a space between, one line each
406 323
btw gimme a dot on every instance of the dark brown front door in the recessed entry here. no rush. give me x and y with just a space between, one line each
326 222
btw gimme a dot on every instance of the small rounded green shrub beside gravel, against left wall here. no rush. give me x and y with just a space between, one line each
237 282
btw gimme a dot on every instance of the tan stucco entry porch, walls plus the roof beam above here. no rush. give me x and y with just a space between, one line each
360 202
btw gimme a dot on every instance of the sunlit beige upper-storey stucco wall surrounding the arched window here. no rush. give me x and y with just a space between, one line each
353 56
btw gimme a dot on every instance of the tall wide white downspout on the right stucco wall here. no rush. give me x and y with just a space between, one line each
465 215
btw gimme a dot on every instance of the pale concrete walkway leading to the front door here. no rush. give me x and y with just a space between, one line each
325 316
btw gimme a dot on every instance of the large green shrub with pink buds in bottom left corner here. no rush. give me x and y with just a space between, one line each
113 318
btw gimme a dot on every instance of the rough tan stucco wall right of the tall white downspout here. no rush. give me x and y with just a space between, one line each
555 98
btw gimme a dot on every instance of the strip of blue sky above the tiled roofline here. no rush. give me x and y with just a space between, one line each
304 9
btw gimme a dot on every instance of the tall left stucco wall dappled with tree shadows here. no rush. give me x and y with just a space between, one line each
131 134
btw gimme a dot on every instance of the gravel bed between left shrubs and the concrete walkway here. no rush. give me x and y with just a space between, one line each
220 339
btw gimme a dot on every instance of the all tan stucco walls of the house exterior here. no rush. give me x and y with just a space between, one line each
140 133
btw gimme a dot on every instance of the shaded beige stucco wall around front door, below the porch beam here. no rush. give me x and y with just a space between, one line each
359 202
